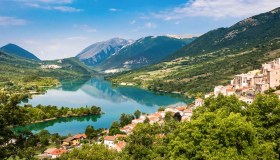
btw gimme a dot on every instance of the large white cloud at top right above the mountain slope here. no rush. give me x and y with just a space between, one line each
218 9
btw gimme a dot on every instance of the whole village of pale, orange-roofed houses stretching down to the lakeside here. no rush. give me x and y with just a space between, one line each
244 86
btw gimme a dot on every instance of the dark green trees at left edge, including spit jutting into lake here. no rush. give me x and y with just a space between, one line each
21 143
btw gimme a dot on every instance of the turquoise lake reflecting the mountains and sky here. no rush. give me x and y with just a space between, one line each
113 100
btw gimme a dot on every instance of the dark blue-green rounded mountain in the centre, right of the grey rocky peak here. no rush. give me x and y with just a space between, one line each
143 52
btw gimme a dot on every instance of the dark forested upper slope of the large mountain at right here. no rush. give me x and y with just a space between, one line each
246 33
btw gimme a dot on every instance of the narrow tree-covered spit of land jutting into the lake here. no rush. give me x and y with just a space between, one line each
40 112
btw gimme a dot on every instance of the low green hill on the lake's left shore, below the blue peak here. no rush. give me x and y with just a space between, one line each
23 75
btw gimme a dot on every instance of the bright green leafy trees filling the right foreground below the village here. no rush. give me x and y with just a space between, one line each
224 128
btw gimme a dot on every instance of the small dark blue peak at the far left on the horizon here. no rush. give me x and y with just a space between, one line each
18 51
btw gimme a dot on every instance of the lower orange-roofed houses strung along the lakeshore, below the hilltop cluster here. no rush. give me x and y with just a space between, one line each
117 142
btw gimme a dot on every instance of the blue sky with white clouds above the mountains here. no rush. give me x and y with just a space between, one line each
54 29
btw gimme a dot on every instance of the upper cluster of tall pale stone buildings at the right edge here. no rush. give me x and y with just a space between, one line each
247 86
